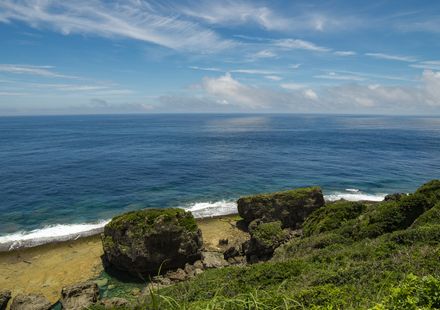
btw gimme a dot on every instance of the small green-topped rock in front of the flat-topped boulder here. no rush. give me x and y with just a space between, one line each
265 238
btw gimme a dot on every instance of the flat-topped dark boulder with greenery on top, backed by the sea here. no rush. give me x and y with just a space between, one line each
290 207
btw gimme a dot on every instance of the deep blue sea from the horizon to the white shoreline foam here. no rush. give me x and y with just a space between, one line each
63 176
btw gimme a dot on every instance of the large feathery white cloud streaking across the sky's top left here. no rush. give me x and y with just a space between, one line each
137 20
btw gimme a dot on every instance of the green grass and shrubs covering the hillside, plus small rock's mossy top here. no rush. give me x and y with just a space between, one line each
351 256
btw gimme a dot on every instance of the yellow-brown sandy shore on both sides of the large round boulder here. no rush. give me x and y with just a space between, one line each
47 268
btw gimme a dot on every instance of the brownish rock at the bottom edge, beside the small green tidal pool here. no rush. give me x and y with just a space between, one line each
79 296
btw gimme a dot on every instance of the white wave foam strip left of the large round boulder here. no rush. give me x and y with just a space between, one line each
52 233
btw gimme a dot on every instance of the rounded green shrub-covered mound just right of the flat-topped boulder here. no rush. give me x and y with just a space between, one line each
332 216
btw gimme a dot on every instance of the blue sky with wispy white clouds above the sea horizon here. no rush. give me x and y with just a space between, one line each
136 56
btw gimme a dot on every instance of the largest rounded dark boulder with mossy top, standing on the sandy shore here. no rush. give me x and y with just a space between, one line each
147 241
